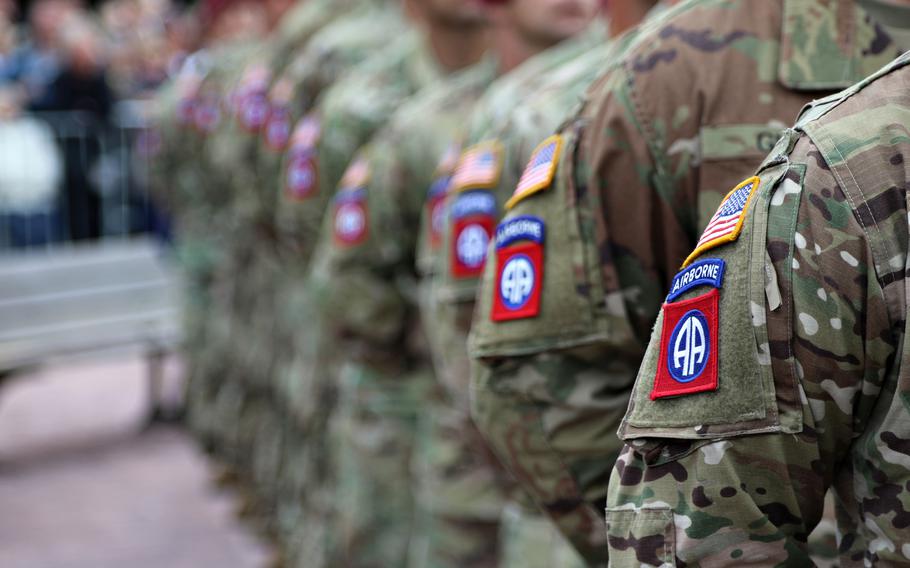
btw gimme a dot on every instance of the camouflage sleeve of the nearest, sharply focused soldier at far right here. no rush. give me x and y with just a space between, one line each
737 474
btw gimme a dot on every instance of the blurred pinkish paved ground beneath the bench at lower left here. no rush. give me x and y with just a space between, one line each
83 483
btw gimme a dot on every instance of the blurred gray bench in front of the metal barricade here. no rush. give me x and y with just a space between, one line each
95 298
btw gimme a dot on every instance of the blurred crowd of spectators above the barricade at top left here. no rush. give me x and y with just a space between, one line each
62 55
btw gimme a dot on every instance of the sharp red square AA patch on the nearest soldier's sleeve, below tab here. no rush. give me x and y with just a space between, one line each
687 362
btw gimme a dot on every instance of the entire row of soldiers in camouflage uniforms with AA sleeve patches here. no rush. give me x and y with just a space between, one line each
426 243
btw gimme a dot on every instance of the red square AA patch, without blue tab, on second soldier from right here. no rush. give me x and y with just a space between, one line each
519 276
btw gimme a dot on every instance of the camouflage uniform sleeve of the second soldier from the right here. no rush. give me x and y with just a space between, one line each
548 389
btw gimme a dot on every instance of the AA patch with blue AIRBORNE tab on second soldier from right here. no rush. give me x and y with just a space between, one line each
519 268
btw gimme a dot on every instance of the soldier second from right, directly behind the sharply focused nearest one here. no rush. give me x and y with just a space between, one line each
609 208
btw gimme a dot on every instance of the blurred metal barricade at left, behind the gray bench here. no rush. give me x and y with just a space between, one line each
99 192
